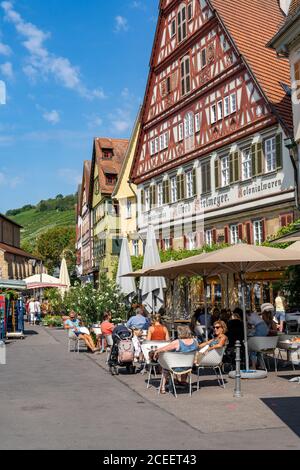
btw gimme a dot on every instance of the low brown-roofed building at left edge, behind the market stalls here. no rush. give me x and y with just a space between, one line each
15 263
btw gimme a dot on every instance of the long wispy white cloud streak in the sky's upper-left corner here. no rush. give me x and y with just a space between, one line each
41 63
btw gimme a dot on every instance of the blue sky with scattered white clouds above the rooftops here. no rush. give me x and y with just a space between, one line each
73 70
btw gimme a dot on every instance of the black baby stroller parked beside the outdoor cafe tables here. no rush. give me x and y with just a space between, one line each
122 351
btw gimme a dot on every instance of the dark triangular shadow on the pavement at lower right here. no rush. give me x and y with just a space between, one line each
287 409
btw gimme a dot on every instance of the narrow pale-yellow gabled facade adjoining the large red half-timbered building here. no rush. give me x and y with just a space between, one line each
125 196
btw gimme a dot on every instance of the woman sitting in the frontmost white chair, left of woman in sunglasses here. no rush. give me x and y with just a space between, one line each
184 343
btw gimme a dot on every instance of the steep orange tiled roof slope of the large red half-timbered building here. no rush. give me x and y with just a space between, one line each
251 24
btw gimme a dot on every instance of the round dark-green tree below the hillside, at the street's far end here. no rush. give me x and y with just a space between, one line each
51 244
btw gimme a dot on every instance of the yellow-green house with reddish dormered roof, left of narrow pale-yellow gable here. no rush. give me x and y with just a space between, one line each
108 157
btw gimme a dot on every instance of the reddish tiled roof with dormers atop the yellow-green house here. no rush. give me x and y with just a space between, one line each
105 166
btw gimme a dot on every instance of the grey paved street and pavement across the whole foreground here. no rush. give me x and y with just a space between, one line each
50 399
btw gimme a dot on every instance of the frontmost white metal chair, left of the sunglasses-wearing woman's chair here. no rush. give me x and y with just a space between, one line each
172 361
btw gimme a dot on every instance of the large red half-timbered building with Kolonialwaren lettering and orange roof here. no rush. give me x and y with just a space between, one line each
211 165
